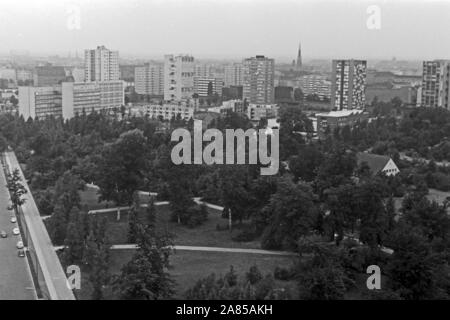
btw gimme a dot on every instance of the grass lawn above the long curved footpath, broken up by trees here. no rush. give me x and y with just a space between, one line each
203 235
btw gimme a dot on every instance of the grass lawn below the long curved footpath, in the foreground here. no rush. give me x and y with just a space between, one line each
189 266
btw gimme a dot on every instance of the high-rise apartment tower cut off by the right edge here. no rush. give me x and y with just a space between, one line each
435 84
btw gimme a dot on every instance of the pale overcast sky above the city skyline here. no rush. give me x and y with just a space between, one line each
228 28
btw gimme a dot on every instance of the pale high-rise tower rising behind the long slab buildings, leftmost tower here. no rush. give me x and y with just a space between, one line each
101 64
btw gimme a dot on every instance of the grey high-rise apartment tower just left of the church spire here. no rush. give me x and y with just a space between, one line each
258 80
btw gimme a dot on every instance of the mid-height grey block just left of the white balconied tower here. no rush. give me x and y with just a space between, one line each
149 79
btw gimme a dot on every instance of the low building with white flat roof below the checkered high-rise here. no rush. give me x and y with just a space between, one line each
329 121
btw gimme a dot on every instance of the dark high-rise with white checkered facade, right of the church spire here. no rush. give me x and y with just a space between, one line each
348 84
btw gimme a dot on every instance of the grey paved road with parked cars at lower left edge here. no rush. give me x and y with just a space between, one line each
15 279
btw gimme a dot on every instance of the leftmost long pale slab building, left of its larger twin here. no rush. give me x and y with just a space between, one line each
40 102
